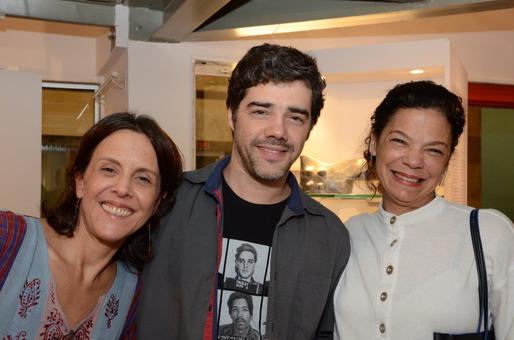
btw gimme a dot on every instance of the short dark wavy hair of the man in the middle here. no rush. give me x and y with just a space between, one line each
276 64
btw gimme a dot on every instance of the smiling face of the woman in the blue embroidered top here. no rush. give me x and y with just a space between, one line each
119 191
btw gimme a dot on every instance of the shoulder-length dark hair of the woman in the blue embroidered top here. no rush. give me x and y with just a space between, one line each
63 216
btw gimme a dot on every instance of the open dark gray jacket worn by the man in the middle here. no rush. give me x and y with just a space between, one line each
310 250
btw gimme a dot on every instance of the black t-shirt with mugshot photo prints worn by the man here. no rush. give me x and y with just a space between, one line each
244 269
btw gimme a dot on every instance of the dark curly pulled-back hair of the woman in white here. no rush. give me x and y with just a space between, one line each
423 94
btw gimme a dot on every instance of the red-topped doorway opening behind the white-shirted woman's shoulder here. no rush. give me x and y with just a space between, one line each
491 147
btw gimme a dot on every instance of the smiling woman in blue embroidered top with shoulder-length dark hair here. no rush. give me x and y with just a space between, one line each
76 273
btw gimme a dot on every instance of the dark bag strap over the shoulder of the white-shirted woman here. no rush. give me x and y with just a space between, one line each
482 274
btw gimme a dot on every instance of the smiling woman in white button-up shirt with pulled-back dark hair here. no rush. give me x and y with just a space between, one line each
412 272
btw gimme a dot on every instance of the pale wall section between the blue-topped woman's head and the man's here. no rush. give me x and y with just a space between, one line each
161 84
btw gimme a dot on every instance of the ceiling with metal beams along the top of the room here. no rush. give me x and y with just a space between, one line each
193 20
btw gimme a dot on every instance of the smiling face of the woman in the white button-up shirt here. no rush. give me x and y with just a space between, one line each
412 154
